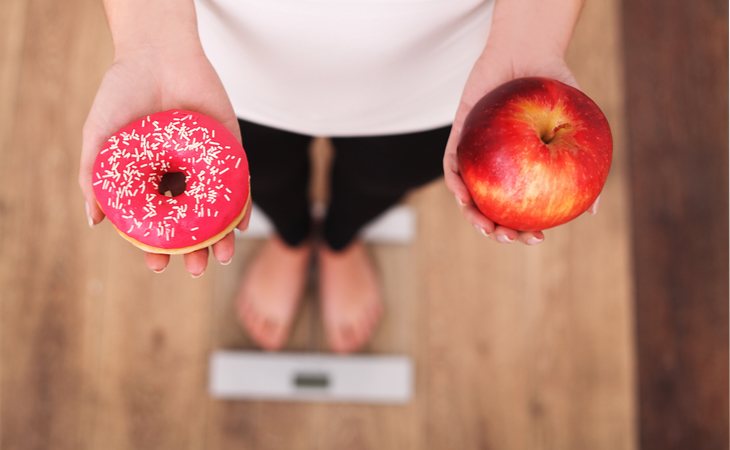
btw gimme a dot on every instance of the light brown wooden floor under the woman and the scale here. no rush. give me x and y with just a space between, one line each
514 347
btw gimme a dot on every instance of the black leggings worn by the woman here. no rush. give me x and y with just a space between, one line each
369 175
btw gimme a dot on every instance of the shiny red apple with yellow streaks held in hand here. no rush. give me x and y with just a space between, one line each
534 153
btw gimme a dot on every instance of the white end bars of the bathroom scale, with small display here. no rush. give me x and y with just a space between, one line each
318 377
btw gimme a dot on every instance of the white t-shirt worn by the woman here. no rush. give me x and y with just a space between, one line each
344 67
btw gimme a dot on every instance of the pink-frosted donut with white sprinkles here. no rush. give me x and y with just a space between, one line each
172 182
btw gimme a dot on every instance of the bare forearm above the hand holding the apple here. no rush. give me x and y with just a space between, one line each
534 27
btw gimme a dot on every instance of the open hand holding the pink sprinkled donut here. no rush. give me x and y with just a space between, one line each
148 78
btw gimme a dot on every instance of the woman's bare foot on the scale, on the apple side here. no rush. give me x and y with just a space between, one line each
350 293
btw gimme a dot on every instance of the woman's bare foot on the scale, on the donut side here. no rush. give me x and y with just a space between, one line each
271 290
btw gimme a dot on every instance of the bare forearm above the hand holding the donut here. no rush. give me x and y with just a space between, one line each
140 24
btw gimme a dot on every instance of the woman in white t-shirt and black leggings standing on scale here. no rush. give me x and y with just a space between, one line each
389 81
